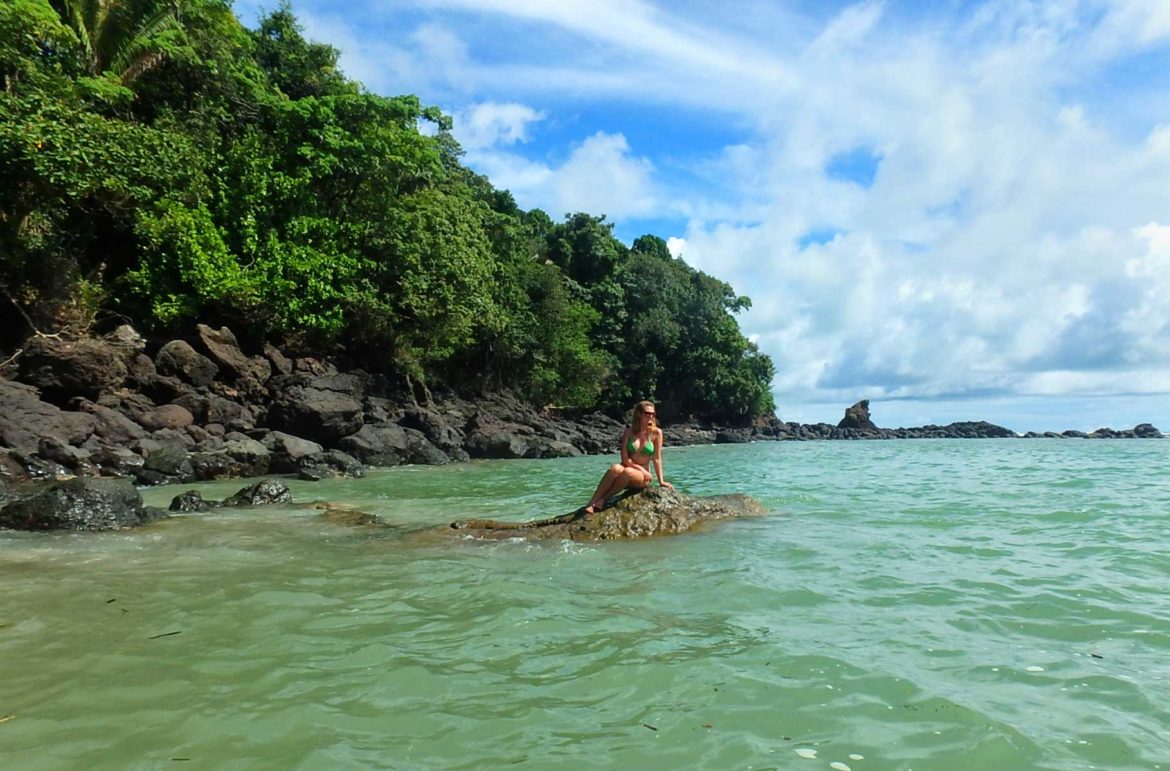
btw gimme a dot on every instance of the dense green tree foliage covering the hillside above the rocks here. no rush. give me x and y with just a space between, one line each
163 164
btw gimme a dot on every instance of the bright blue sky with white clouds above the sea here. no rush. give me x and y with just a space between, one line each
954 210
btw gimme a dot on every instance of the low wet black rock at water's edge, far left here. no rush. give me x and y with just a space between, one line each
79 505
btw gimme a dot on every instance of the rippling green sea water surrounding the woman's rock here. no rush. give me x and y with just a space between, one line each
906 605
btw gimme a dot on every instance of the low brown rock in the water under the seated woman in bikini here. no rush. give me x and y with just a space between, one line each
656 512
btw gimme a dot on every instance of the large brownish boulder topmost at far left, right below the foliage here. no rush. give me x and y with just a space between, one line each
67 369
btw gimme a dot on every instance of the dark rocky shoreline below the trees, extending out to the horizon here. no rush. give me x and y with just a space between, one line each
202 409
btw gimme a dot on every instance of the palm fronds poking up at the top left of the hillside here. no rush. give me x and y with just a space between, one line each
120 37
